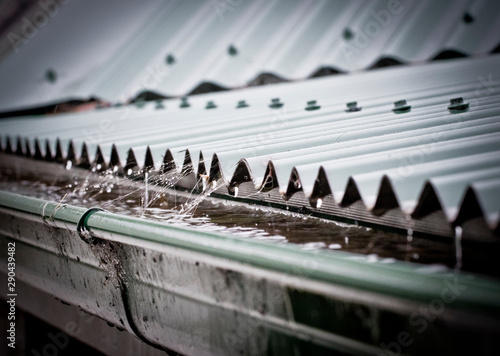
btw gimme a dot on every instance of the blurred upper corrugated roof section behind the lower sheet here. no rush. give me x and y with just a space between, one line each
122 48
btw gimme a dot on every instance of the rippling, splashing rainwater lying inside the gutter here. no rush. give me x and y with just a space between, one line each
156 199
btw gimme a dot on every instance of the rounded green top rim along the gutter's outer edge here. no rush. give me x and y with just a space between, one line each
399 279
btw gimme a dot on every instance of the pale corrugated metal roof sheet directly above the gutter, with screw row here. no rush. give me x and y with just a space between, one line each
427 163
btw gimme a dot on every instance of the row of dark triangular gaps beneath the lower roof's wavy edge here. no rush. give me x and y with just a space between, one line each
202 177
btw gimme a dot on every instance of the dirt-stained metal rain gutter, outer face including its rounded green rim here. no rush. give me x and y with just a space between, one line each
198 292
